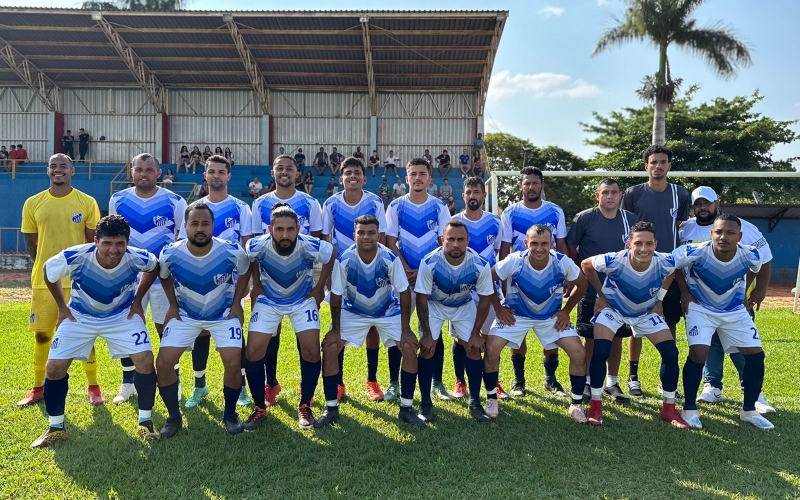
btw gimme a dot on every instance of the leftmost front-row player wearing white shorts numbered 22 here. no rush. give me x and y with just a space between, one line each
104 275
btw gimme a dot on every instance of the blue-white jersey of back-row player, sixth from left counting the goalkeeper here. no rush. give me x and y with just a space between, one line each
416 227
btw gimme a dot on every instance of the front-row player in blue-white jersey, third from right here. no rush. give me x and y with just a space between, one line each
535 290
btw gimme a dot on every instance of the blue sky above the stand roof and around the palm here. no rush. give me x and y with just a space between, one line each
545 80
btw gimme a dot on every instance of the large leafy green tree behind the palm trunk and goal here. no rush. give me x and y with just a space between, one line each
719 135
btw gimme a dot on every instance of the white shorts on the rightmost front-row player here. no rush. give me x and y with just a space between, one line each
736 328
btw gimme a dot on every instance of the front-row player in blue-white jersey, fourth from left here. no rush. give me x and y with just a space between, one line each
367 279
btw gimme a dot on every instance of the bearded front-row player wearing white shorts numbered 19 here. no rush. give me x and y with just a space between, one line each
204 279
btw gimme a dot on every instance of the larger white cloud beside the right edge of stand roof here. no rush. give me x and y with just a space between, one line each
504 84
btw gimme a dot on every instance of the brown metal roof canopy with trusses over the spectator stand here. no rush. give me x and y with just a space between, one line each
368 51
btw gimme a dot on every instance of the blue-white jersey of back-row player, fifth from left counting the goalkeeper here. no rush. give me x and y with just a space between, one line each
338 218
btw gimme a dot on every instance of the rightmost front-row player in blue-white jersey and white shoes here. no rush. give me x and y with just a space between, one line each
714 294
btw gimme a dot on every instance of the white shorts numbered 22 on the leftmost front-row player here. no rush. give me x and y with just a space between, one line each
124 337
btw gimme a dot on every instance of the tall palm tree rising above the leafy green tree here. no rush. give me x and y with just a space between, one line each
665 22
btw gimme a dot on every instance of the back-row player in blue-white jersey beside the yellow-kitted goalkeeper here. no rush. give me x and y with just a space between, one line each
155 215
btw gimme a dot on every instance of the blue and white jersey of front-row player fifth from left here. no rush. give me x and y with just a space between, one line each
452 285
